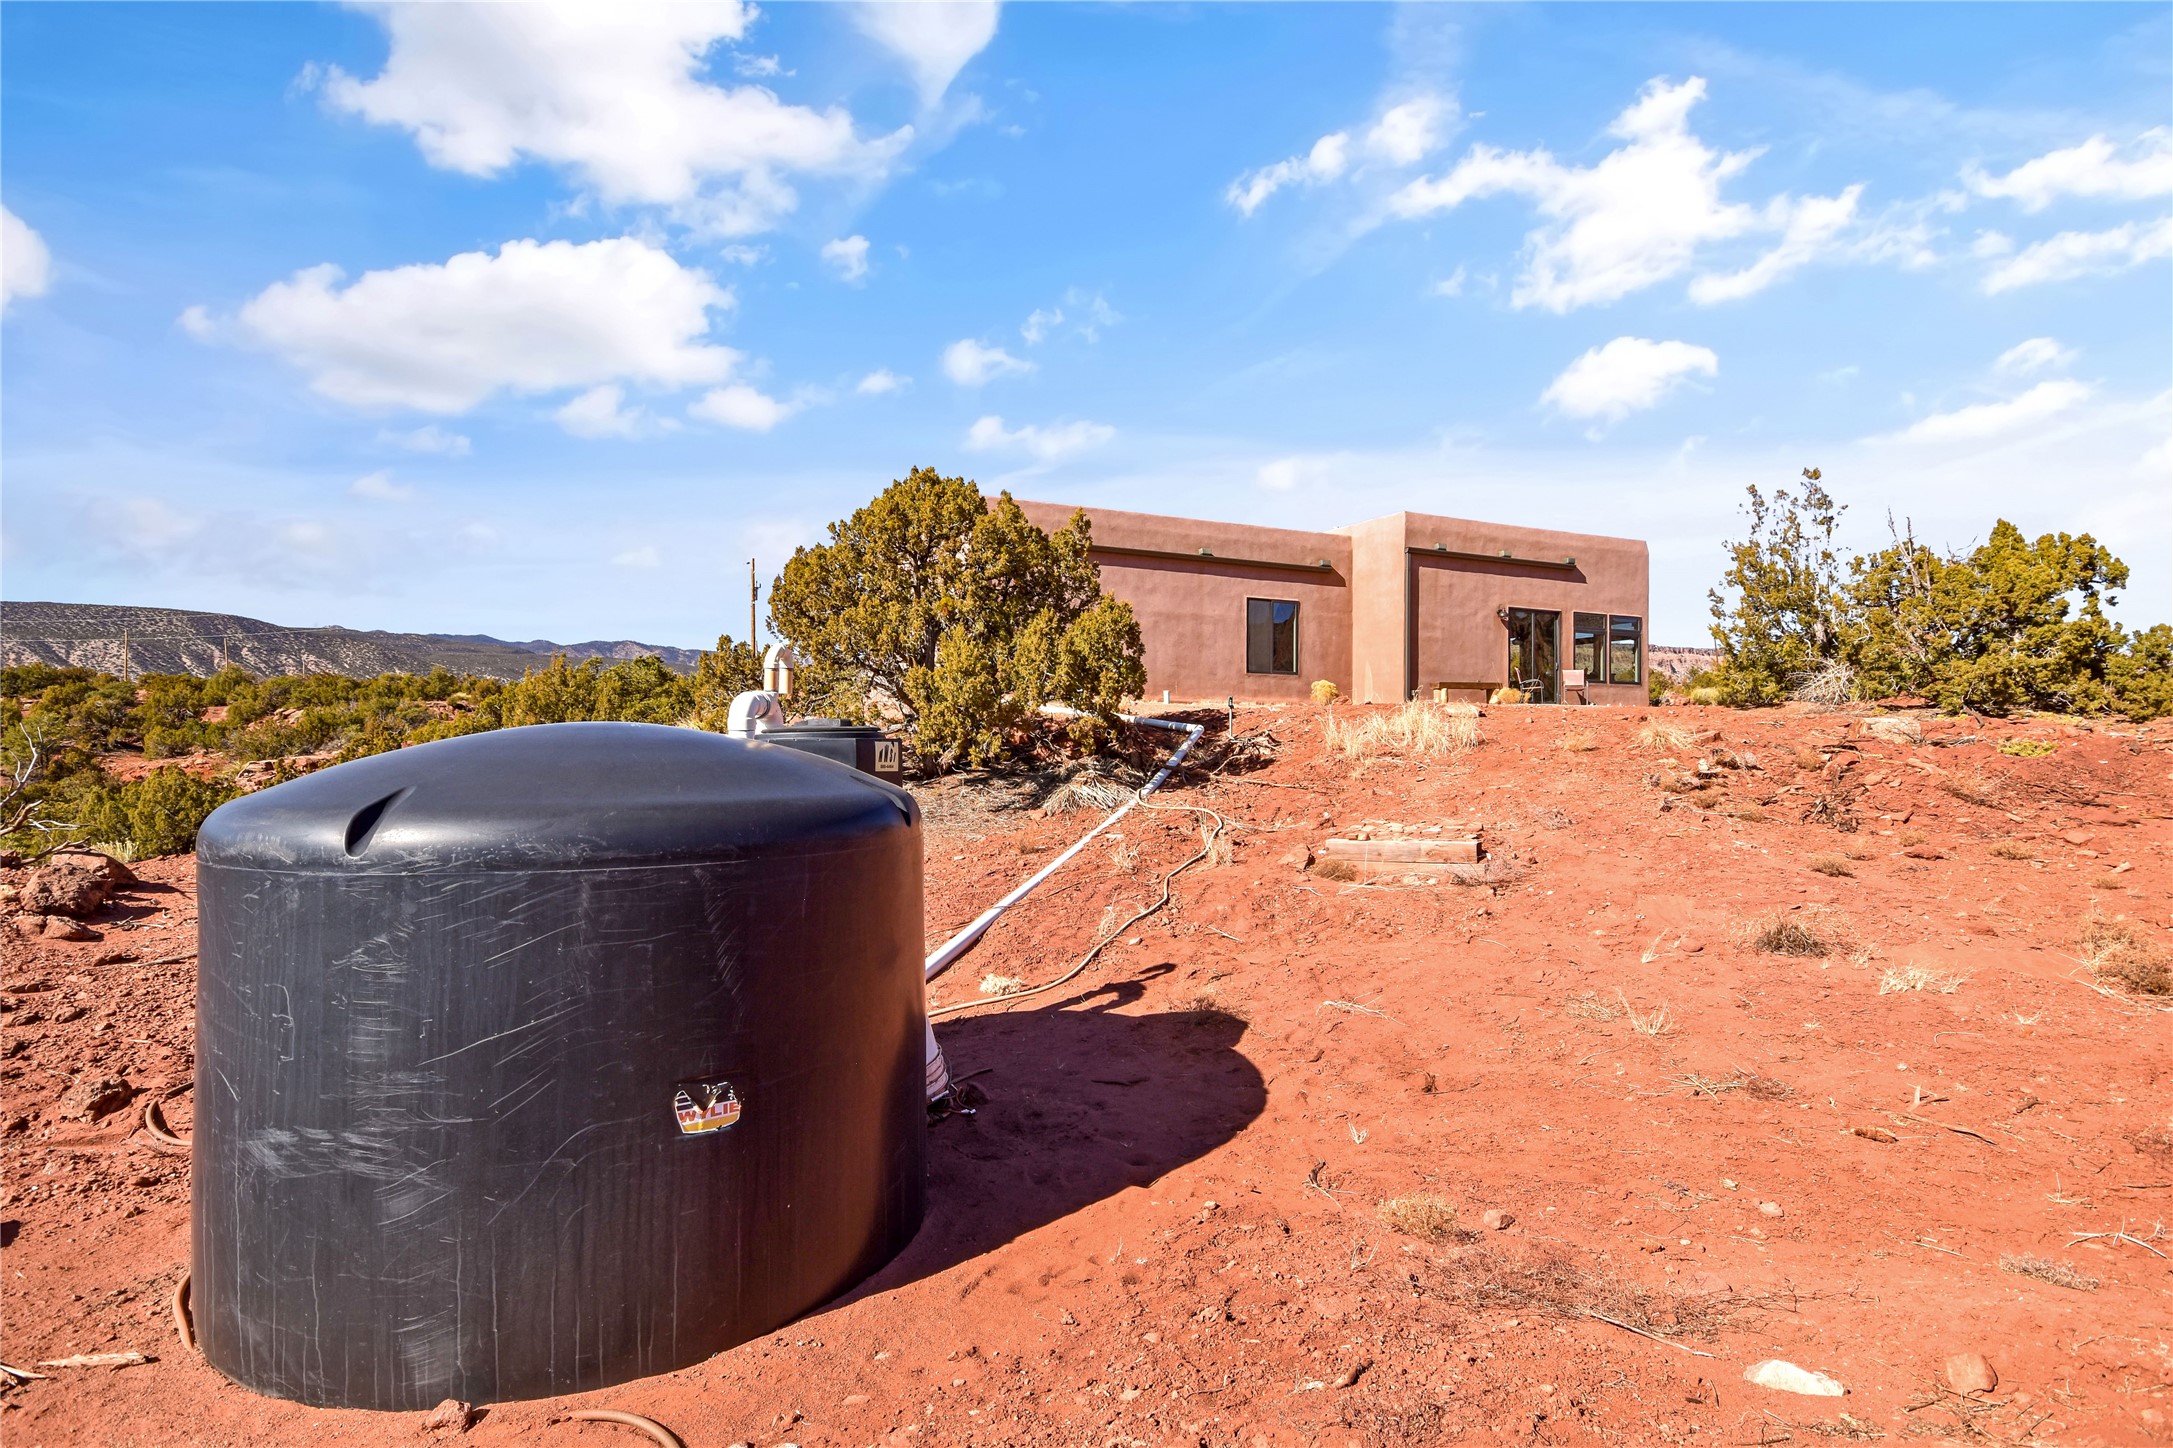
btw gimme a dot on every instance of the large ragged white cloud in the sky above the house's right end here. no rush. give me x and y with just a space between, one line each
1640 214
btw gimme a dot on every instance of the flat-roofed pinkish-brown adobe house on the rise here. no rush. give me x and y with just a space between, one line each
1398 608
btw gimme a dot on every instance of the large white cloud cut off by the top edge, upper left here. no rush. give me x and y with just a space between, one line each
616 97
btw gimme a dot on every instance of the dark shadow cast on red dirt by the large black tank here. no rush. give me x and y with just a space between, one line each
1083 1103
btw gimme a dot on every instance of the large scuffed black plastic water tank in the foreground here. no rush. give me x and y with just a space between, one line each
551 1058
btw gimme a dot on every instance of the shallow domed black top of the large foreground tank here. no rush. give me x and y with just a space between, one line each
553 797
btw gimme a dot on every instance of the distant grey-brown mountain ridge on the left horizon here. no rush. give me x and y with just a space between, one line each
188 642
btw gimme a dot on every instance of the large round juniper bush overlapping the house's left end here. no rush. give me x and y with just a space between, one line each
959 616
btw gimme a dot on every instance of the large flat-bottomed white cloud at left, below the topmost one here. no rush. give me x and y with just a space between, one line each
540 316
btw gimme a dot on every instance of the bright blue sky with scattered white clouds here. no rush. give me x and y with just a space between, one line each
542 323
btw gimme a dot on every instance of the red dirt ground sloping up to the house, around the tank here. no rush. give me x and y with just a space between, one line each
1164 1223
